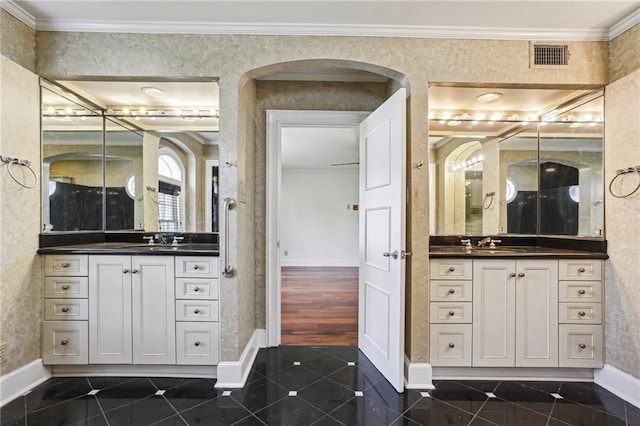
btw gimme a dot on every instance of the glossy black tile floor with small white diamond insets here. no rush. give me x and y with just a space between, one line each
294 385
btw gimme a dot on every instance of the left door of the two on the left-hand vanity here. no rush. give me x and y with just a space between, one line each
110 310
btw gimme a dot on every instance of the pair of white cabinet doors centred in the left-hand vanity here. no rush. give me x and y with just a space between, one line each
131 313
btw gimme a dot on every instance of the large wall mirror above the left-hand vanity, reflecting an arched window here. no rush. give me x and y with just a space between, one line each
130 156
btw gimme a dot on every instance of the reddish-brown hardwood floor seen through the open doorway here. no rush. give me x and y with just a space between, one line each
320 306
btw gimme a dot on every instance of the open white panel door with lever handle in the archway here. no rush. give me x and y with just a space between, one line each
382 238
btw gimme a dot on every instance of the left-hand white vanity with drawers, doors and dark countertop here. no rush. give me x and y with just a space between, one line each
116 304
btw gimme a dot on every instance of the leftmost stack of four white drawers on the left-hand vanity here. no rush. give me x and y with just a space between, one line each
65 307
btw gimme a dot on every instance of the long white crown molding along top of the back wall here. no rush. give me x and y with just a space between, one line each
279 29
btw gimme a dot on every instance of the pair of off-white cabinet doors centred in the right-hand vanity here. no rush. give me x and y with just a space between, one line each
515 319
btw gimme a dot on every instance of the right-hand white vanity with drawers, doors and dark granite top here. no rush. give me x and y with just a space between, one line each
516 307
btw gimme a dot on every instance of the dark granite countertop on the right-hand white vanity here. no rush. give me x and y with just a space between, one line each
512 251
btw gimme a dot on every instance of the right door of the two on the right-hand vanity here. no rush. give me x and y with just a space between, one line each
536 313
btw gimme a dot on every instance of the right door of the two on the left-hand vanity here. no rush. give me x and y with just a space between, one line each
153 315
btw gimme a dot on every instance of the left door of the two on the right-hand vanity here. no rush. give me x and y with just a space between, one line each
494 313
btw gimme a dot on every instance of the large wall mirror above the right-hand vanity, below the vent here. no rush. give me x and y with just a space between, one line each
516 161
